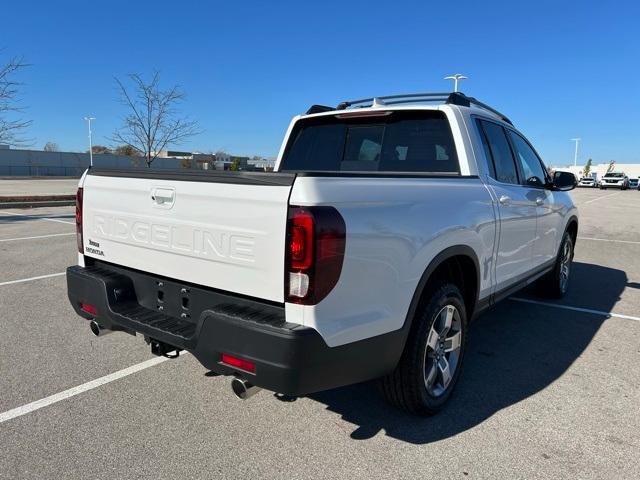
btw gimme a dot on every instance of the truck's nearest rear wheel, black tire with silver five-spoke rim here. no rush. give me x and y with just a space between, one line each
431 363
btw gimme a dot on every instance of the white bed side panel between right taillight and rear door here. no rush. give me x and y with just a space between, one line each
395 227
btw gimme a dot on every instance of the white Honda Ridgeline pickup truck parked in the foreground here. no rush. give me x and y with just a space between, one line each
387 226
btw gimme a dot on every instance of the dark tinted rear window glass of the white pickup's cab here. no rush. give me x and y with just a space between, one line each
398 142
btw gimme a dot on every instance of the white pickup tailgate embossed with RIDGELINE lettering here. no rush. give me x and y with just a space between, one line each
224 230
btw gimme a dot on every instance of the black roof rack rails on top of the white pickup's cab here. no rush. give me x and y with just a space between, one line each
455 98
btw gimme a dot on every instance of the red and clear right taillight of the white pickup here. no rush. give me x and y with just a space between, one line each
315 250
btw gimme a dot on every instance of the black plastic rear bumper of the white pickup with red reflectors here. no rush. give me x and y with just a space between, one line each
289 358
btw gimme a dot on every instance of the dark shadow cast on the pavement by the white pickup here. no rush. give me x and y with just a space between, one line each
514 351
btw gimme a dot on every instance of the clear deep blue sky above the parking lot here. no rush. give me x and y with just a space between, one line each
556 68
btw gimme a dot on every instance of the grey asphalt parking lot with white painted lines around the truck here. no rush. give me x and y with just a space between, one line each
549 390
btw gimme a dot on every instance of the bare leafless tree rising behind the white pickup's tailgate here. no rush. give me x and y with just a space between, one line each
153 122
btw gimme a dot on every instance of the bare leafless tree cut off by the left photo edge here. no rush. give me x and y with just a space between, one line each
11 128
